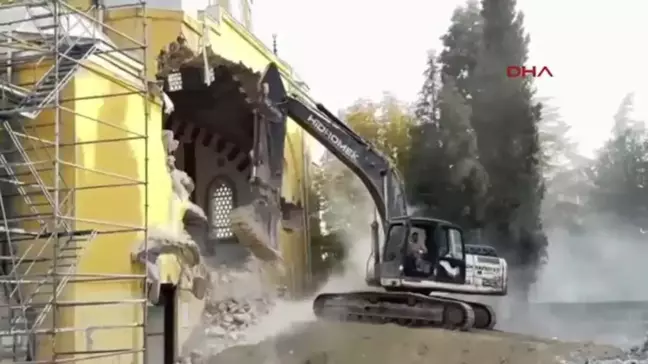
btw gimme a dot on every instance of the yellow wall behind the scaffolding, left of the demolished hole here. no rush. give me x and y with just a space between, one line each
97 206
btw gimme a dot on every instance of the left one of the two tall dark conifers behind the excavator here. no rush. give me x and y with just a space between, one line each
453 183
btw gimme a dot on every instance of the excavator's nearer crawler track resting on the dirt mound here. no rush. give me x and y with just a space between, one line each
401 308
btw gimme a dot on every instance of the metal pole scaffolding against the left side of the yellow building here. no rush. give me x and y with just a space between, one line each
40 244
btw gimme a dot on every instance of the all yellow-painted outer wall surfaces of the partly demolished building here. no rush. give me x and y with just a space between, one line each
106 208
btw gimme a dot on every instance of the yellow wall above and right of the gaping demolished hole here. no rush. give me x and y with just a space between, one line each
235 43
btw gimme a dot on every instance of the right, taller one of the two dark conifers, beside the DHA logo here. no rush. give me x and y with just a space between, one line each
506 121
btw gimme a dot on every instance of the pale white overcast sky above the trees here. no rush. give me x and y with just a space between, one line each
350 49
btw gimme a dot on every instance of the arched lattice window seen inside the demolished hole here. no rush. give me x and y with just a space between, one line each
221 203
